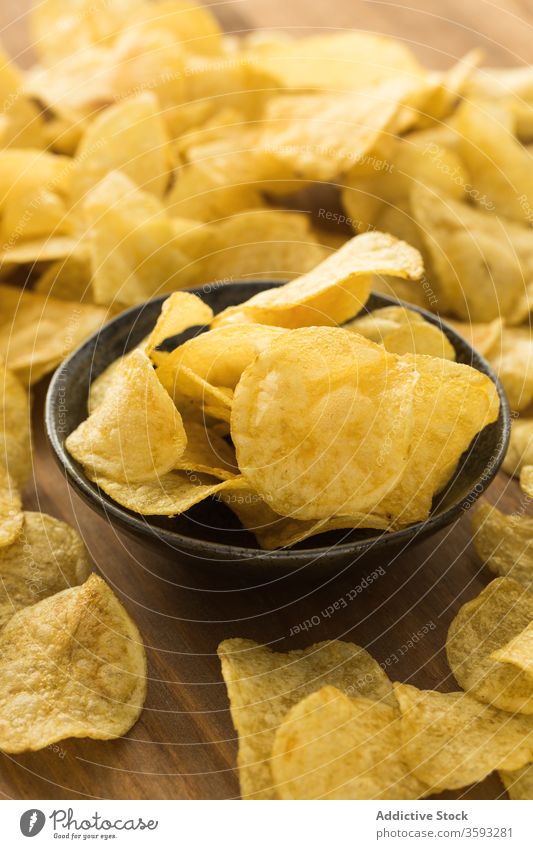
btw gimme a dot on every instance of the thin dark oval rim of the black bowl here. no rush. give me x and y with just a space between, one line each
202 549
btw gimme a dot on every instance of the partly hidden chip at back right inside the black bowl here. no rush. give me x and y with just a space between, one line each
403 331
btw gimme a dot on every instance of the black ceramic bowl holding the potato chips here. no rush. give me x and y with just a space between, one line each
209 534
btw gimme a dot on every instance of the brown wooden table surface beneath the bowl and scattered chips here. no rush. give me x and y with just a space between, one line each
184 745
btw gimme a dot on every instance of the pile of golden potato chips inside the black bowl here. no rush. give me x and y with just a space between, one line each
243 409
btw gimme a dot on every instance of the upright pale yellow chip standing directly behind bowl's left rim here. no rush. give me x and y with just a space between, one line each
134 252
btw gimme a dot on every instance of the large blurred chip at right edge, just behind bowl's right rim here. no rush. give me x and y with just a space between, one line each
479 262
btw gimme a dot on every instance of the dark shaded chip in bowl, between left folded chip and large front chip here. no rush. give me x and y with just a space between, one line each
208 453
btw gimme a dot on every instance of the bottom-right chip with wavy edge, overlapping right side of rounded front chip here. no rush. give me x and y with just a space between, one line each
450 740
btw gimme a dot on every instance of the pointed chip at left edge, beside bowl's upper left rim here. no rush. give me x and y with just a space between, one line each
30 341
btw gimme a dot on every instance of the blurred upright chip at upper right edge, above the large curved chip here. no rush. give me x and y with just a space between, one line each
499 166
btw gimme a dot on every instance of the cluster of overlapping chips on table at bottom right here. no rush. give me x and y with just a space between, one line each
327 723
